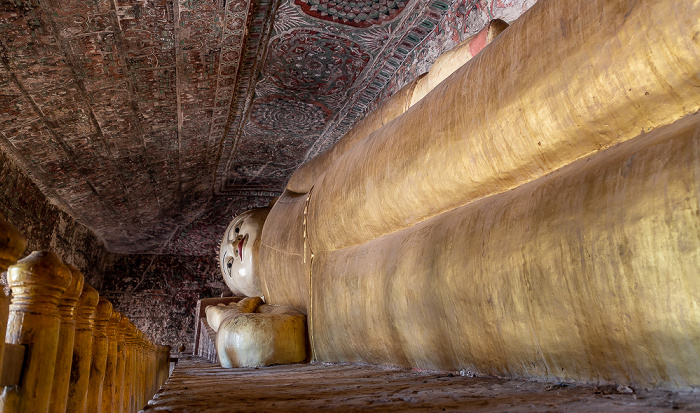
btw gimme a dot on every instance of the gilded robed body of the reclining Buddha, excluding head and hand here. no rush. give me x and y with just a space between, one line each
536 214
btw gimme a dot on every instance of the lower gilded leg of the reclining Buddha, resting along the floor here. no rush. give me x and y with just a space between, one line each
590 273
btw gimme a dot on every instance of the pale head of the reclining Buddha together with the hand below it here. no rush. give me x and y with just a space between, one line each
250 333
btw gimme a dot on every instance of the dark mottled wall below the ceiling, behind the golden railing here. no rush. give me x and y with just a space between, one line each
157 292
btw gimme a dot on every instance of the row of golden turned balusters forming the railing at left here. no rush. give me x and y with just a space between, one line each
65 347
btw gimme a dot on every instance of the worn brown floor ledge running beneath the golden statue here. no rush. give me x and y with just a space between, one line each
199 386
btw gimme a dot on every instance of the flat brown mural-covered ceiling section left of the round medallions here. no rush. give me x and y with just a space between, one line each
118 107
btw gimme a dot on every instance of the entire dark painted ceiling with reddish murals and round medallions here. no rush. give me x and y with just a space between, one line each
154 122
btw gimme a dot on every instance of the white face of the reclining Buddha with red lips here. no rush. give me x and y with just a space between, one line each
238 256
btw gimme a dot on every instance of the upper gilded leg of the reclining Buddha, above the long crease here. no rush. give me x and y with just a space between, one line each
595 74
